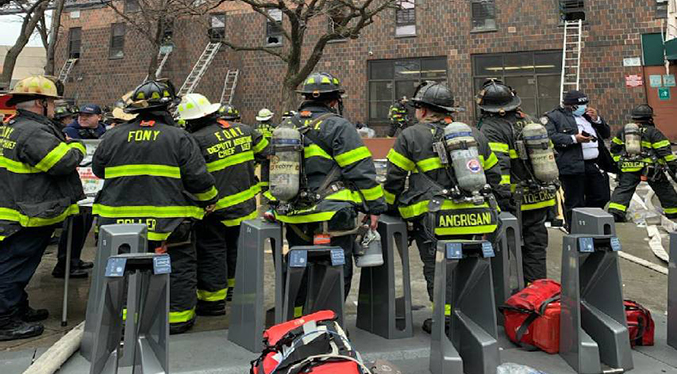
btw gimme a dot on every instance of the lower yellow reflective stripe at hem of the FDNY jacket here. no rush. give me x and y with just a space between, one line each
147 211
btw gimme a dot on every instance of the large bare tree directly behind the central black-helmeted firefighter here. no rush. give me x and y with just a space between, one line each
348 17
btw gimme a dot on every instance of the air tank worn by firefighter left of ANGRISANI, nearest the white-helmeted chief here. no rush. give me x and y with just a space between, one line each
285 165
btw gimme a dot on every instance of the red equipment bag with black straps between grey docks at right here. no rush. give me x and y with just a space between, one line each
532 316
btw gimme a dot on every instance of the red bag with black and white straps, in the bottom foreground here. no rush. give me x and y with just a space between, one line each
311 344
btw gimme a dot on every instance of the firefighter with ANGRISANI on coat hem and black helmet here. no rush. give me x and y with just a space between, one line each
417 155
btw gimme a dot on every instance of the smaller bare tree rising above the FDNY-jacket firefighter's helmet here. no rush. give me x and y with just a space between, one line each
152 18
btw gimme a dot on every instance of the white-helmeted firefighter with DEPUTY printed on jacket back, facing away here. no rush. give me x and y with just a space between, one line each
229 149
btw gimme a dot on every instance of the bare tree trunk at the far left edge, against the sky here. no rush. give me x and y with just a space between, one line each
33 12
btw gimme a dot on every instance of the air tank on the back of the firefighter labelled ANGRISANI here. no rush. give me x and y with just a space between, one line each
462 148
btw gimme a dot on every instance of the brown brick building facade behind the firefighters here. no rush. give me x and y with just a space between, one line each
460 41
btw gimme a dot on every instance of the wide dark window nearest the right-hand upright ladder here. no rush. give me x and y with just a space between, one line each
534 75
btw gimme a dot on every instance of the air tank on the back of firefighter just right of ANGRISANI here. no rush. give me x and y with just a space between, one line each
541 154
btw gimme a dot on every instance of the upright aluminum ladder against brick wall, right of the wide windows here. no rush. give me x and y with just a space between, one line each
571 57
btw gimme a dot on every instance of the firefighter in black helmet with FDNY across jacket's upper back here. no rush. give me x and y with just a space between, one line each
155 175
